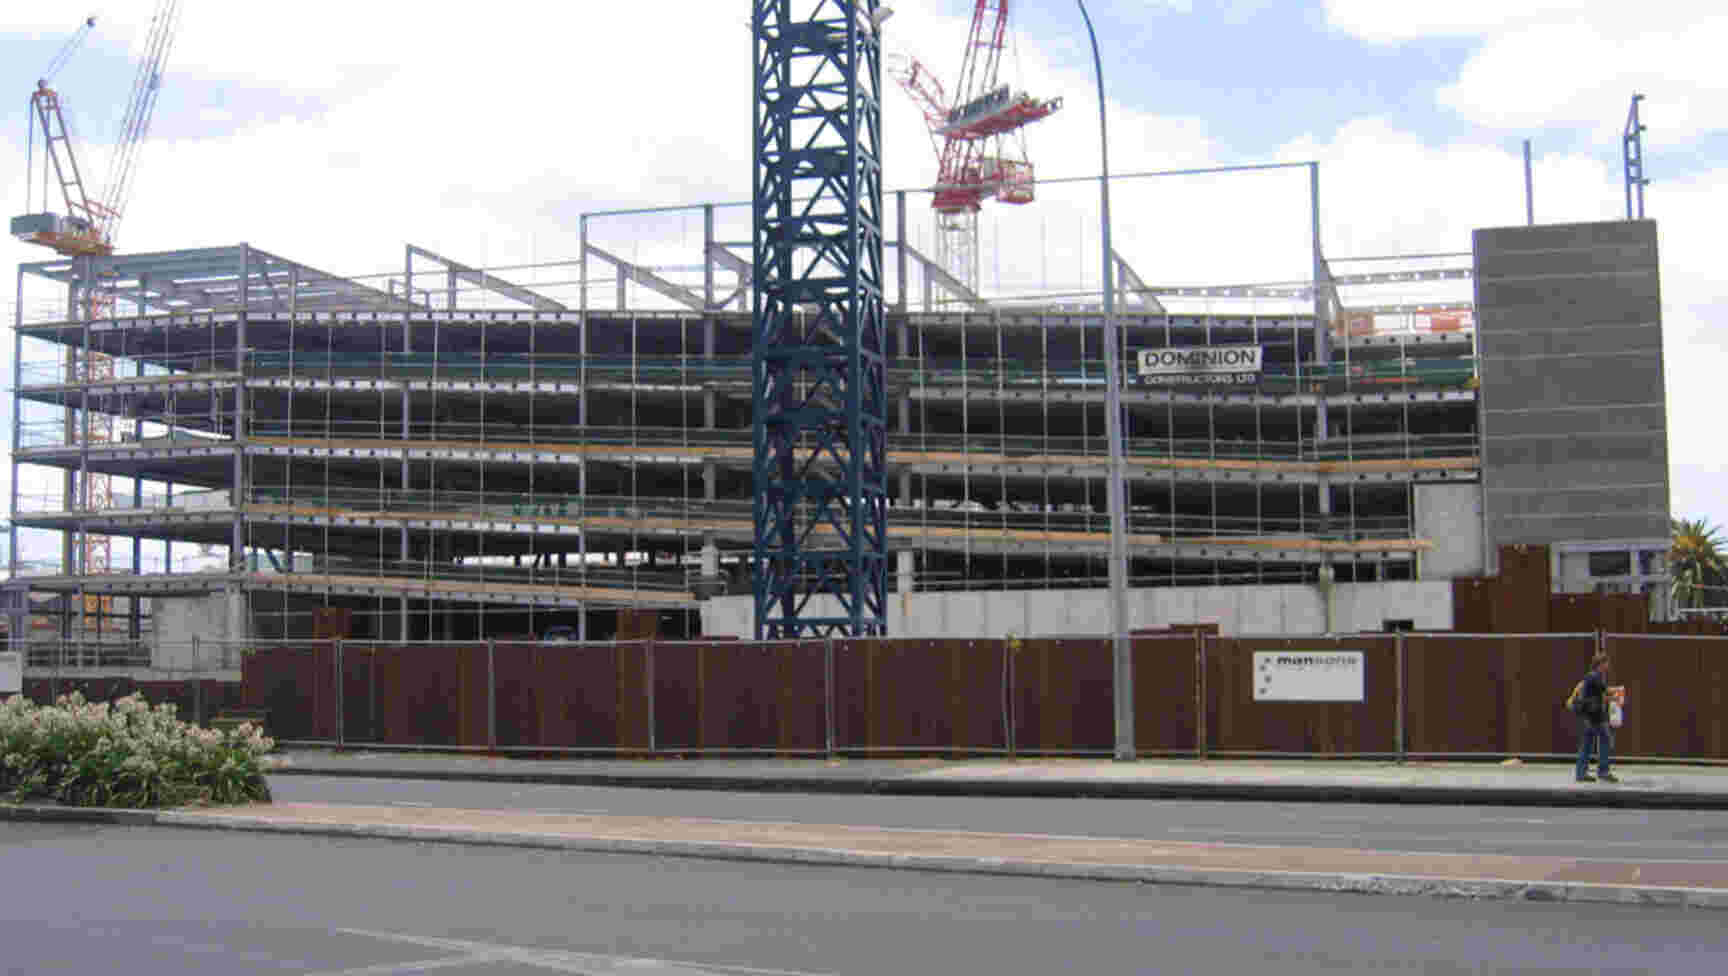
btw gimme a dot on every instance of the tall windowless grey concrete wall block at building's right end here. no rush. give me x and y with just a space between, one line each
1573 396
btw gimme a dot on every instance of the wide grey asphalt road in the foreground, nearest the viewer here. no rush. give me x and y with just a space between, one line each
156 901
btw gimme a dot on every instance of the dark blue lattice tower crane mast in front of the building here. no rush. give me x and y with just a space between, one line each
820 346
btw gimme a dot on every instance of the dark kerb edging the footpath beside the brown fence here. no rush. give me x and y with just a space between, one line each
1599 797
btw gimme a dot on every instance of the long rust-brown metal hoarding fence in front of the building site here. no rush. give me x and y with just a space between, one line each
1444 695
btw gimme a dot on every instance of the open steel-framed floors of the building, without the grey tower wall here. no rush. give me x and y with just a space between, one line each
450 452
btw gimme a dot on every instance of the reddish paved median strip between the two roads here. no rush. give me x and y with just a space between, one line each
1699 885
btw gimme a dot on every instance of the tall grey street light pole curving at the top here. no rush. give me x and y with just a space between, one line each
1122 661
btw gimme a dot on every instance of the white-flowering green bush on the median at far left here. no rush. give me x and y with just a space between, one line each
125 754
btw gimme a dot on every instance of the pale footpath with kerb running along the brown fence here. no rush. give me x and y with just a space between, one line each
1325 782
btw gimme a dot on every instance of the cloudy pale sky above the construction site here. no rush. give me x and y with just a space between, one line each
334 134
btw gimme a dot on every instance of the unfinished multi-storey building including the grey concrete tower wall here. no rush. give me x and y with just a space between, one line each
234 447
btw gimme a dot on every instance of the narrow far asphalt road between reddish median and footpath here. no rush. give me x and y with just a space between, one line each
1658 835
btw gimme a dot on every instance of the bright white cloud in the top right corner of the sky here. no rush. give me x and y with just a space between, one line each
1568 63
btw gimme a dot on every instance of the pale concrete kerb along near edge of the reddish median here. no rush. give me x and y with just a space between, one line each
1000 866
